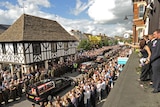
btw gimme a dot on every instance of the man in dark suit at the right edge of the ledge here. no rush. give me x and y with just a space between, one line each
155 61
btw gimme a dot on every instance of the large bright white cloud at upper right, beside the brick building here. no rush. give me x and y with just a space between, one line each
107 16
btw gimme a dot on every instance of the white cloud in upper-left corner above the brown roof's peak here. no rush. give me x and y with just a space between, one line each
12 12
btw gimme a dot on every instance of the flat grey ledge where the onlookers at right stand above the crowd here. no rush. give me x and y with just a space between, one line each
128 91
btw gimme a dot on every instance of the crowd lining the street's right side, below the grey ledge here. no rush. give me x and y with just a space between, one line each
91 89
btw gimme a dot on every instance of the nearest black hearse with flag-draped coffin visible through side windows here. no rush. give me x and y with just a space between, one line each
45 90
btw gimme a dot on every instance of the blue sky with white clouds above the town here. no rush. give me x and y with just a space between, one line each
88 16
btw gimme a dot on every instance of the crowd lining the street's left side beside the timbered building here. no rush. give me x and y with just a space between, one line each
13 86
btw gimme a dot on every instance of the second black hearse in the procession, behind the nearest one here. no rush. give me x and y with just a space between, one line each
85 66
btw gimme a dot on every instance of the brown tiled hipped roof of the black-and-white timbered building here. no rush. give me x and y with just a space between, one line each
32 28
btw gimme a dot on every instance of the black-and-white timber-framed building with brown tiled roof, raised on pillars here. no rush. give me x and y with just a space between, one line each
33 39
